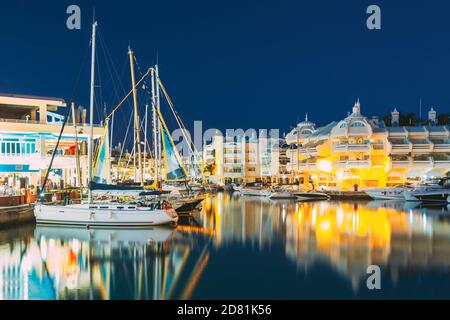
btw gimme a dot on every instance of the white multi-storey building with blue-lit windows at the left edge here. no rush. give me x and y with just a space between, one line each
29 132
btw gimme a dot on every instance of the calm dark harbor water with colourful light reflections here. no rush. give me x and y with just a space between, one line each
239 247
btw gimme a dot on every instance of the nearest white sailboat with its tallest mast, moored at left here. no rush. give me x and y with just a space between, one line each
104 214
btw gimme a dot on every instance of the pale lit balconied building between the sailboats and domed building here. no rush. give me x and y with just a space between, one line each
239 159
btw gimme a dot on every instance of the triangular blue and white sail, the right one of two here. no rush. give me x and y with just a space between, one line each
173 165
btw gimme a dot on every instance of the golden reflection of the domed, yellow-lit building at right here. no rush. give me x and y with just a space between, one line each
352 237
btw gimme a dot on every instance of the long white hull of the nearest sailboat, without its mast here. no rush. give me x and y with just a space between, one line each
106 214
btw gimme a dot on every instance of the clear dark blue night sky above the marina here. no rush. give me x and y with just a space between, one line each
240 64
